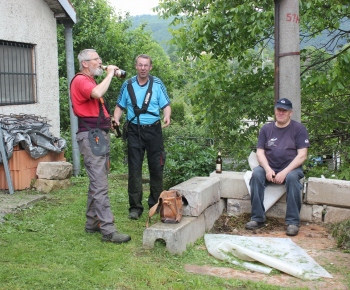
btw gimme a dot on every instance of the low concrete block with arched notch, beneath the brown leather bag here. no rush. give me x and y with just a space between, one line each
176 236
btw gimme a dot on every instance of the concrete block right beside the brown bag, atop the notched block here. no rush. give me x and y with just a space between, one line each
200 193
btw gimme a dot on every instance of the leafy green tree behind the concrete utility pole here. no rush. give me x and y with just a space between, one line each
237 32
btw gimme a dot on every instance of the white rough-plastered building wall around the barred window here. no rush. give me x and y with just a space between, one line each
32 21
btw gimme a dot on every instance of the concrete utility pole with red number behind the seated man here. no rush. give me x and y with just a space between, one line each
287 54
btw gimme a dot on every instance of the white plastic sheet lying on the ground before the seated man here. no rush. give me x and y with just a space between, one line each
279 253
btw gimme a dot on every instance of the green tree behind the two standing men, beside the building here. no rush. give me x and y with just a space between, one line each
100 28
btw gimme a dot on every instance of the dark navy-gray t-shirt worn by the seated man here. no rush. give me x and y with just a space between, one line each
281 144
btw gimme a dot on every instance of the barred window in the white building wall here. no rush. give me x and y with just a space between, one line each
17 73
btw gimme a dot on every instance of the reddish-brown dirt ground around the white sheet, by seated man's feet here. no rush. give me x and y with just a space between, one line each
315 239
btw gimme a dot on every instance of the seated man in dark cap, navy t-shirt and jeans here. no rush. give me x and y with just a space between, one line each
281 151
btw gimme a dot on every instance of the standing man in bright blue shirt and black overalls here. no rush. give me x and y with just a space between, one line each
144 131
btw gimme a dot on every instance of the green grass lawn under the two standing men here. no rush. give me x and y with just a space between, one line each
45 247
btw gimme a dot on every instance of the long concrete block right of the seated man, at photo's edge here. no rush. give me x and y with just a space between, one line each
328 191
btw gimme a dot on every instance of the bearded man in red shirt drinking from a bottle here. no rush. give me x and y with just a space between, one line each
88 106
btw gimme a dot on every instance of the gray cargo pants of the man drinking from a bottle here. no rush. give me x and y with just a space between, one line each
98 209
